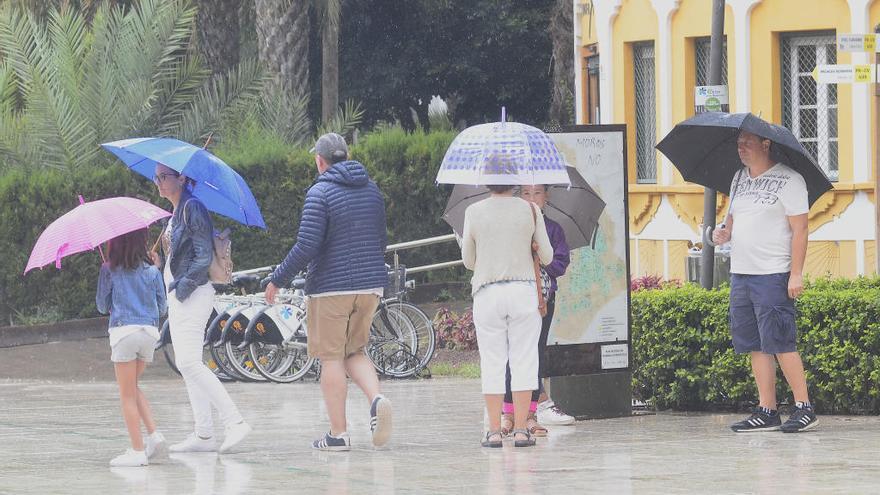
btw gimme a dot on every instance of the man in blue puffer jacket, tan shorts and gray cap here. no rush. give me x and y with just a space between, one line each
342 240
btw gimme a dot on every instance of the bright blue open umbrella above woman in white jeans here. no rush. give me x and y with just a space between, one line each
219 187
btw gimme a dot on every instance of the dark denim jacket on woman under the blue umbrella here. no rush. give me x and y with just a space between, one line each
192 246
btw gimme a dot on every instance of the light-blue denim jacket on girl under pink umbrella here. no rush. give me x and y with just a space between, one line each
131 297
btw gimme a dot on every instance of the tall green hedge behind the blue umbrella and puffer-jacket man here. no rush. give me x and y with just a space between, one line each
403 164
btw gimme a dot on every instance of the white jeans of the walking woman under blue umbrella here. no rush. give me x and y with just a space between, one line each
187 321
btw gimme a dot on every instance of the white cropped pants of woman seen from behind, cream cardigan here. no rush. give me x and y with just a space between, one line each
508 325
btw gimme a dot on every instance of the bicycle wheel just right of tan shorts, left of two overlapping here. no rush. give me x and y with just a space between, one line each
392 340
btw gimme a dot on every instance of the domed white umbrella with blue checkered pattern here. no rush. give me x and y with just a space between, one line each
502 153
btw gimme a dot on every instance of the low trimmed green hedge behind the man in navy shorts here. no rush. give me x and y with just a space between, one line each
683 359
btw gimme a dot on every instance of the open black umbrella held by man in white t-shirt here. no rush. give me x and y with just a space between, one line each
703 149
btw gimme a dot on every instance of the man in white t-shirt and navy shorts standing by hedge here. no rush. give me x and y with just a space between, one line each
769 208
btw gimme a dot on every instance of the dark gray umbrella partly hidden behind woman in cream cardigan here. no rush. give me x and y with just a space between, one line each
576 209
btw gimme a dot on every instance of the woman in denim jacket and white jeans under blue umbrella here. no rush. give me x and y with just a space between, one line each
188 248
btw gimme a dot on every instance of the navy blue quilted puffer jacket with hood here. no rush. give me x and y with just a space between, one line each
341 235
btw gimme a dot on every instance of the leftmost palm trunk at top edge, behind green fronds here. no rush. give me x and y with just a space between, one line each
218 30
